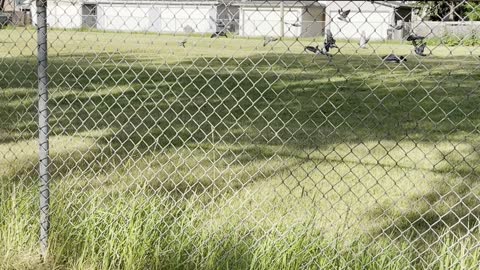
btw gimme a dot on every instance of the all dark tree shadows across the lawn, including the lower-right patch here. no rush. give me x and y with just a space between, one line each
292 101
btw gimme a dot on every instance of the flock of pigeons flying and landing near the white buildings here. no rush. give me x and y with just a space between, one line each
329 43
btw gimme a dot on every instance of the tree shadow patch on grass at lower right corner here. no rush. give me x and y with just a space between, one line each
451 206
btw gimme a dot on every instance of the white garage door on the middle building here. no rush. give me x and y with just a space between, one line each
267 22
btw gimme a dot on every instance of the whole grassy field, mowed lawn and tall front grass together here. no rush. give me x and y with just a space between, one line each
230 155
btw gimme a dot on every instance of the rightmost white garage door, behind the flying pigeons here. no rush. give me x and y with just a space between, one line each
375 25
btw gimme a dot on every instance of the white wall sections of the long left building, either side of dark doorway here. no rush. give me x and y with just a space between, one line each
135 16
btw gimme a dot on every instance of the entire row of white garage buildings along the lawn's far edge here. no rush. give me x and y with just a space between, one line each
245 17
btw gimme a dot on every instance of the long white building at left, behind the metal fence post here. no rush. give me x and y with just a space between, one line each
134 15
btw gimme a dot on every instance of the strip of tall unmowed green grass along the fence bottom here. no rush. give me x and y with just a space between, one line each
151 234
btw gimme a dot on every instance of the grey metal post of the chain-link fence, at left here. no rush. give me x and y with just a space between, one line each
43 128
